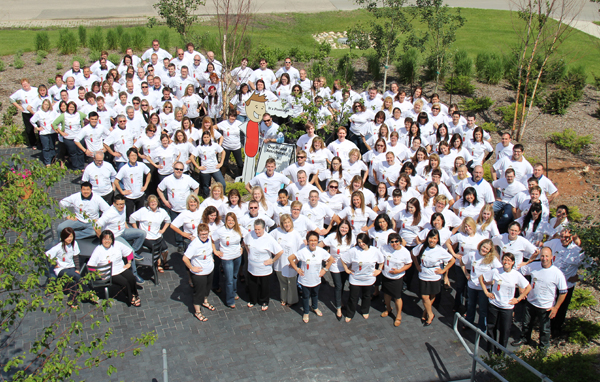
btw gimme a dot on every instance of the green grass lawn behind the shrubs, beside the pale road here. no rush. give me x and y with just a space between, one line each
484 31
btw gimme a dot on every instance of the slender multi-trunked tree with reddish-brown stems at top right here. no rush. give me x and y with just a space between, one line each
542 26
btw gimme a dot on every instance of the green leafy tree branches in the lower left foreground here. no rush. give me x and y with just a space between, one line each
62 348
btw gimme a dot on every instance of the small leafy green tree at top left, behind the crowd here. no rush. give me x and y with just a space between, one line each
178 14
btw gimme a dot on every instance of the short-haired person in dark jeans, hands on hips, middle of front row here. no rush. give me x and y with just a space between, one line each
307 262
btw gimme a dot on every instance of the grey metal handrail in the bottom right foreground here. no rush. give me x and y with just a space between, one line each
475 352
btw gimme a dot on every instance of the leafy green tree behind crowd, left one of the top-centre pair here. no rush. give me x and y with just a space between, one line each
383 33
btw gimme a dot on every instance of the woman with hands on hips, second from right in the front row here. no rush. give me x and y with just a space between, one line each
502 298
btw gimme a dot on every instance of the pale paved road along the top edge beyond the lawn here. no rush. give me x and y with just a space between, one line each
63 13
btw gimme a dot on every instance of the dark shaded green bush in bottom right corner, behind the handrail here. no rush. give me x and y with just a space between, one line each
557 366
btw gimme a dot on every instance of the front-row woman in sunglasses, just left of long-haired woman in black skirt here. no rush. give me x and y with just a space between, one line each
396 261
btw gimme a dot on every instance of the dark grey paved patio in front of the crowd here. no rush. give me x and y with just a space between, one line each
250 345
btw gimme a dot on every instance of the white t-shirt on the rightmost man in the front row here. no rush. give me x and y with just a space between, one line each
544 283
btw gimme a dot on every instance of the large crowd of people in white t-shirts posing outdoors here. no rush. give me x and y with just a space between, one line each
395 200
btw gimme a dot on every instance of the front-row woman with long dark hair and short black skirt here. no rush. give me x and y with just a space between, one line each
431 261
